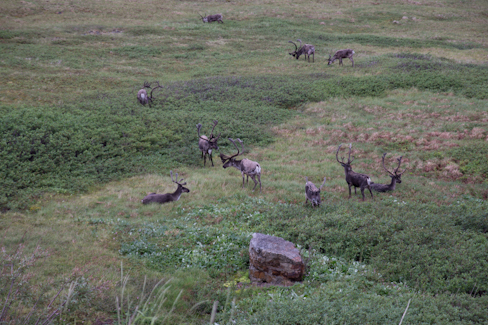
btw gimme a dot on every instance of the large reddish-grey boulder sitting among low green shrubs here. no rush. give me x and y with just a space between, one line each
274 260
